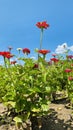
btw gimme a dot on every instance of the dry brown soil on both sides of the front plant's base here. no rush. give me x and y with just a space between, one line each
59 118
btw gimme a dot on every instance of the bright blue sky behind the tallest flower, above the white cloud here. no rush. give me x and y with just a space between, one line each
18 19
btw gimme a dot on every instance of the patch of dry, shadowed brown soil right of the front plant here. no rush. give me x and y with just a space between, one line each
61 117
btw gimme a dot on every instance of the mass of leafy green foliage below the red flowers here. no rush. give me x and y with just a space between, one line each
27 90
